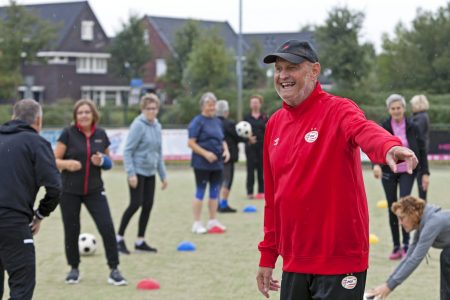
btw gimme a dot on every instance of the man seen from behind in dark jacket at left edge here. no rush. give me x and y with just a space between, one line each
26 163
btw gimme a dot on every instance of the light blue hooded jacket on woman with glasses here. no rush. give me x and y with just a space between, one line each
143 150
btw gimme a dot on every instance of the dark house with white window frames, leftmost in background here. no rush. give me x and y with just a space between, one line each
77 62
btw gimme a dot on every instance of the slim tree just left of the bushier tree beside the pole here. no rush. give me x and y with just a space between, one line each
185 38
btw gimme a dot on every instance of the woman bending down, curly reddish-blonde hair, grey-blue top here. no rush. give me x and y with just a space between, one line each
432 225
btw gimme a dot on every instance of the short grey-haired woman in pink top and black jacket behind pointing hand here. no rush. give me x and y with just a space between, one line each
398 125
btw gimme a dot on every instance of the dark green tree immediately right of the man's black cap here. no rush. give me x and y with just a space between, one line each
340 50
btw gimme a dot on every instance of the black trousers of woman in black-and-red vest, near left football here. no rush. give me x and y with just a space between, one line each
98 208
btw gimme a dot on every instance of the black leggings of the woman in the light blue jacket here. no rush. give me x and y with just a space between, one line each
142 195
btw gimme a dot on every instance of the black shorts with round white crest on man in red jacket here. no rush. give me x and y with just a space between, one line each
323 287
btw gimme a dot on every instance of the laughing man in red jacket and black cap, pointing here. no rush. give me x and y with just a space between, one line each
316 214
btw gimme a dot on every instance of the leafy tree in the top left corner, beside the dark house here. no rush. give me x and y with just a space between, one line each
22 35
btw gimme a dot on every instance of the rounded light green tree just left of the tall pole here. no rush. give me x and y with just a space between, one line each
210 64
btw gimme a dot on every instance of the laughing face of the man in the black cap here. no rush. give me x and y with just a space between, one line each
295 82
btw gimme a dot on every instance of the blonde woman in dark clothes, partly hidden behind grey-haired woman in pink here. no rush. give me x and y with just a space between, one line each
419 107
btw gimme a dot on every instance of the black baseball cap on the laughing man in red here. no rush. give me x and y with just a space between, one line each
293 51
